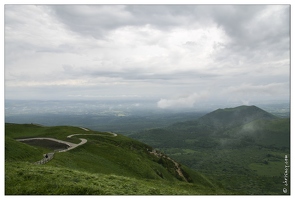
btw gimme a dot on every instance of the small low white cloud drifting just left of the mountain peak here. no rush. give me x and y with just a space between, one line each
182 102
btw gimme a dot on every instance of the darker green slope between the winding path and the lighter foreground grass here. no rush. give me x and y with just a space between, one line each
102 156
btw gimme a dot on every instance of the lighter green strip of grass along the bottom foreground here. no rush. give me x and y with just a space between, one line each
25 178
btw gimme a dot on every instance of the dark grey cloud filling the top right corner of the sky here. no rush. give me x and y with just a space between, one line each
255 31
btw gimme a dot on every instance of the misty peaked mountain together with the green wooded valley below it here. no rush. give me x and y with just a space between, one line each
243 147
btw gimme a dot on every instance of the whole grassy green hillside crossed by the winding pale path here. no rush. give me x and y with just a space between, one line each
106 164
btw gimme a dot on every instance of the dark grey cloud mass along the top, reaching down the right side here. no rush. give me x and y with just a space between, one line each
262 28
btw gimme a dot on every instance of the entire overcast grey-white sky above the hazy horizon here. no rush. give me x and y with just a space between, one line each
178 55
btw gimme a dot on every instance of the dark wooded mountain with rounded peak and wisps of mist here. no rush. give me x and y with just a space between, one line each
221 123
